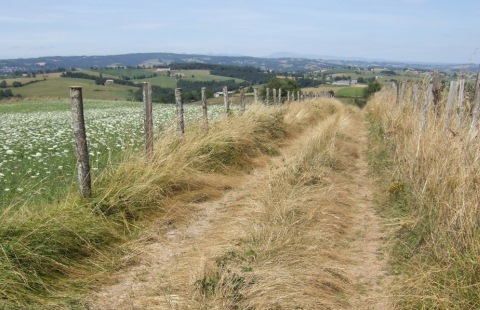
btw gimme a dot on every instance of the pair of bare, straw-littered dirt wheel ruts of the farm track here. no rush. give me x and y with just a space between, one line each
177 250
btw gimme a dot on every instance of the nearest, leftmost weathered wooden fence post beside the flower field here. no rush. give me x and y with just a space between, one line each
81 147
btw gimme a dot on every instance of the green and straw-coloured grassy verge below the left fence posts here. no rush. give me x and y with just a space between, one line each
42 247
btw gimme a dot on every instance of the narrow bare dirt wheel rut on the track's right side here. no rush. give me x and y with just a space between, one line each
369 269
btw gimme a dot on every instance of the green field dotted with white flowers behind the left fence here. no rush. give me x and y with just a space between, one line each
37 158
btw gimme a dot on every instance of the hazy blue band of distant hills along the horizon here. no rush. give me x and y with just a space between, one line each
284 62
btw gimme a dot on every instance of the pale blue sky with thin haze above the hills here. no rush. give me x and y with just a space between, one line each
434 31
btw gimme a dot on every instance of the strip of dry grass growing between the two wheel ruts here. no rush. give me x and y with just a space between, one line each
289 257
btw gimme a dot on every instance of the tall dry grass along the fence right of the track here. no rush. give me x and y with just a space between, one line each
434 188
